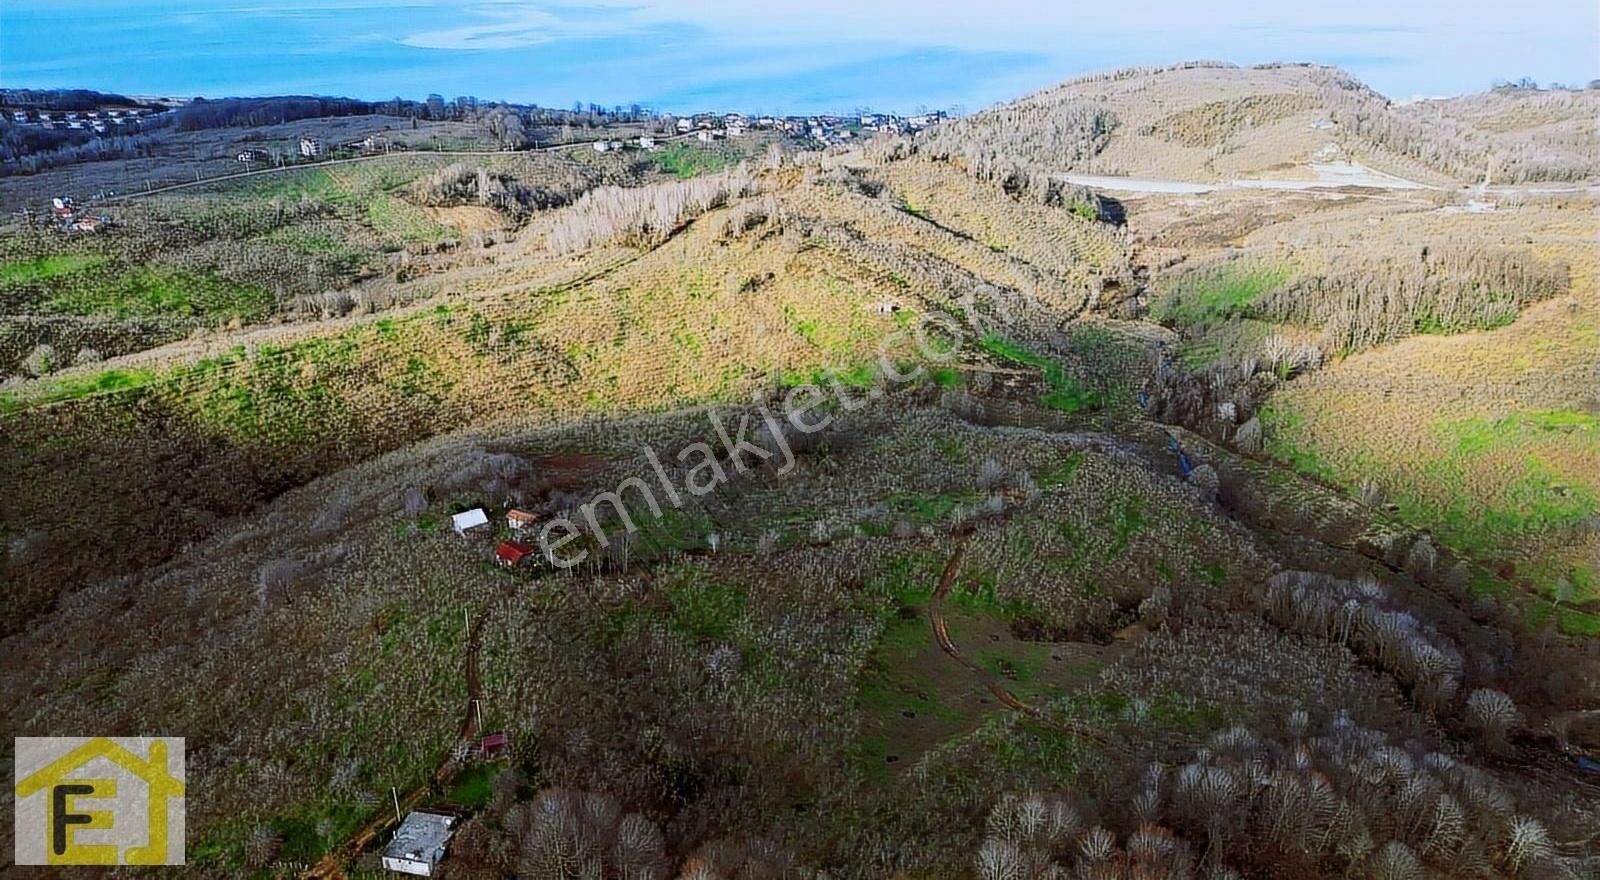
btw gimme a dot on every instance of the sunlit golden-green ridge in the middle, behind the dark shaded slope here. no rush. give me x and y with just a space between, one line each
762 289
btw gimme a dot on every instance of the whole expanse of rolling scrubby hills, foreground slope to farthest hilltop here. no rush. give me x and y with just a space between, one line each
1225 534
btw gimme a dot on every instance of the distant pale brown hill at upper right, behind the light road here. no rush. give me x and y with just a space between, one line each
1217 122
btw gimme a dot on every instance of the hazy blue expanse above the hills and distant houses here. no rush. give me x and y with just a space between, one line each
766 55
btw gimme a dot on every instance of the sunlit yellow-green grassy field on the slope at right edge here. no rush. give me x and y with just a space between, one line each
1490 439
